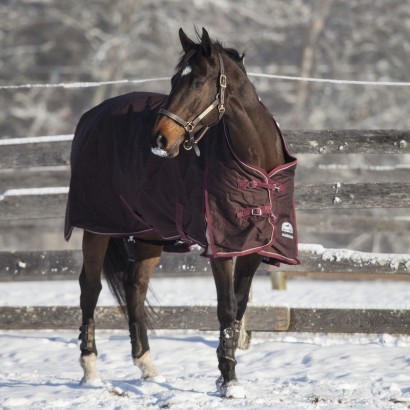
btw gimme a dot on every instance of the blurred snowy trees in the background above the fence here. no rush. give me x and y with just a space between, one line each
52 41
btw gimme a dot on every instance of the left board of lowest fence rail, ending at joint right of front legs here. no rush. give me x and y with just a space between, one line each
261 318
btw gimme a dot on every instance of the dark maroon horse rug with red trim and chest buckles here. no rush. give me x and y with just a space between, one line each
119 188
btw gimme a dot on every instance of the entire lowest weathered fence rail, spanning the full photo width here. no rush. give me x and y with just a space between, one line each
259 319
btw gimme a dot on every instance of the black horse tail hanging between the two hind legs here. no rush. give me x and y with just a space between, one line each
116 269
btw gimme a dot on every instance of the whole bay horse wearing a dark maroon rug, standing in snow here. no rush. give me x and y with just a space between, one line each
205 165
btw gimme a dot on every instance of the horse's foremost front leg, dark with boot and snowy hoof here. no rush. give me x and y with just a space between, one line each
227 383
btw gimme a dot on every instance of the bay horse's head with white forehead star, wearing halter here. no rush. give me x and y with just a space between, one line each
196 100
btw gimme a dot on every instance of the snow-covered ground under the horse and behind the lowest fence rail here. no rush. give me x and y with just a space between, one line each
40 370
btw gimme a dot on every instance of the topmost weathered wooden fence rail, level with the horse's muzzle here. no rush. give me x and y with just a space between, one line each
42 151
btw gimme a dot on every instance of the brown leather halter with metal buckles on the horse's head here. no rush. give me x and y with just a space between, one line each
189 126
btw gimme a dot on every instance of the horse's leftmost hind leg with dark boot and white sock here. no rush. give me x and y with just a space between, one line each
94 249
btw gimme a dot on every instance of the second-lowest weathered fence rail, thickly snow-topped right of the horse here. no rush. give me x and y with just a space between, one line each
66 265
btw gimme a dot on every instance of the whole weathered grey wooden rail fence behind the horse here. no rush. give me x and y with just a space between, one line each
25 162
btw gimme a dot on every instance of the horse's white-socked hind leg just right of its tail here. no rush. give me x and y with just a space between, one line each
135 287
